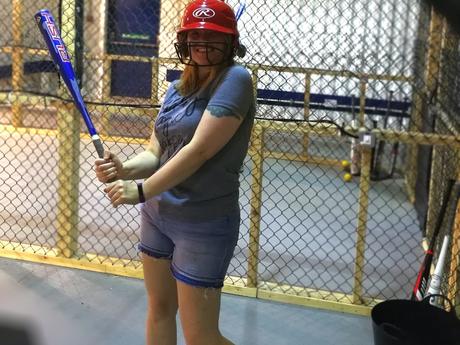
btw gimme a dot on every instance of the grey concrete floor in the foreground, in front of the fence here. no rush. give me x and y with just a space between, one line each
68 306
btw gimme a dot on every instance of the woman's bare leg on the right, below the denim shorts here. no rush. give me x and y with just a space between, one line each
199 313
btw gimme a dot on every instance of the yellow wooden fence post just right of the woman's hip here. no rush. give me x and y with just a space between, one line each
257 145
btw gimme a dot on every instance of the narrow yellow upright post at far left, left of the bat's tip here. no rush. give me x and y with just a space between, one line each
17 62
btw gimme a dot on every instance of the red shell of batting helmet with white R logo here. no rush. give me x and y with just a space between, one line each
213 15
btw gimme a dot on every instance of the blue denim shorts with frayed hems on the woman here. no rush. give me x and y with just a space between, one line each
200 250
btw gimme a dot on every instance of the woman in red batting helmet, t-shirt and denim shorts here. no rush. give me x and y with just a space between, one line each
190 218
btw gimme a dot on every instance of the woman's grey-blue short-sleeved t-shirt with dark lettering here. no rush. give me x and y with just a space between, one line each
213 190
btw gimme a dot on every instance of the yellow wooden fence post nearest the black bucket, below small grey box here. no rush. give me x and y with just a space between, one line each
364 183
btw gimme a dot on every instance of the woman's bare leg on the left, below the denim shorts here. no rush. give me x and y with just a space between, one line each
162 301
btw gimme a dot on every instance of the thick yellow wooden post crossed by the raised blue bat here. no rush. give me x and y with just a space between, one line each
68 136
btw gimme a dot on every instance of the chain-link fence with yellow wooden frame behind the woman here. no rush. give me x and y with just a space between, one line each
327 216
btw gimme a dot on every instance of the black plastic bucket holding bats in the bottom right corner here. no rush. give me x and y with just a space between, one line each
404 322
